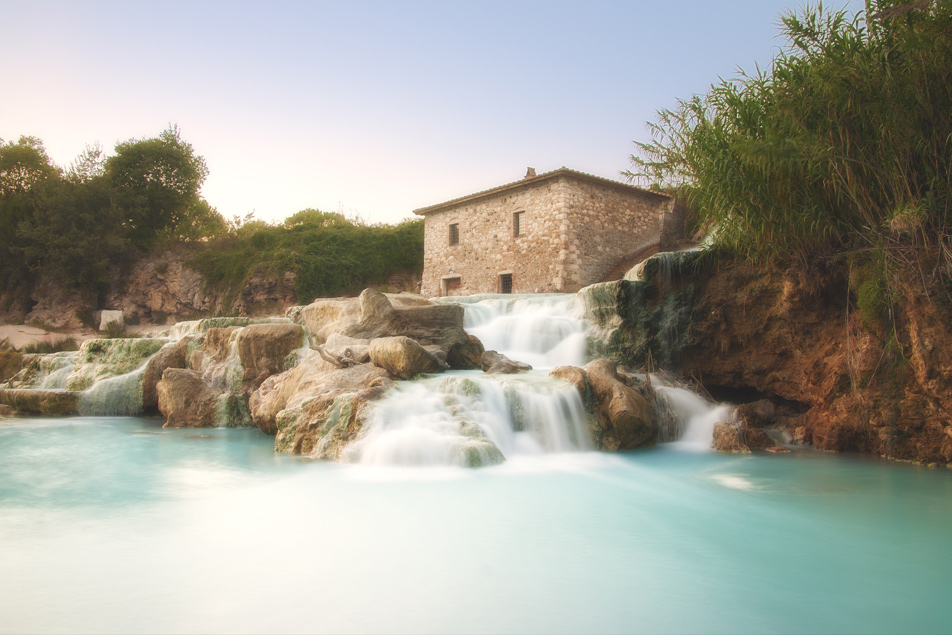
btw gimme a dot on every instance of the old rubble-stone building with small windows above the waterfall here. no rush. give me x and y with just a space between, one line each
552 232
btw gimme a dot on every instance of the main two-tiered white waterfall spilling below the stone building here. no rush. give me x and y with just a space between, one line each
470 418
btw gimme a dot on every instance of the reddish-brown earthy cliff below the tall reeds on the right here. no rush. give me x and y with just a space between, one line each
839 379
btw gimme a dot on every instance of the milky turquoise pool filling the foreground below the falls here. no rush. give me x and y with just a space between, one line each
115 525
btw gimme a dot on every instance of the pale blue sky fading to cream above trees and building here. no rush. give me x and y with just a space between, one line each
372 109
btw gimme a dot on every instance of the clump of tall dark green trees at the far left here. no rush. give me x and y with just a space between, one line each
78 224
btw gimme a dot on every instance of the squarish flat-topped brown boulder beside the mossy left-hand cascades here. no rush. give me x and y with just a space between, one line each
264 349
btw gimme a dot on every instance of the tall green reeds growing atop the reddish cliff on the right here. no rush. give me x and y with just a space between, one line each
843 145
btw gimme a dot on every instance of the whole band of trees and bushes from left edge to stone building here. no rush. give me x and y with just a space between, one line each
78 225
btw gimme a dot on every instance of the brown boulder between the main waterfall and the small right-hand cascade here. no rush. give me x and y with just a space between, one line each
624 415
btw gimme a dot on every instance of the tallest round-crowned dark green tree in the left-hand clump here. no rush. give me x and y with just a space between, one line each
156 183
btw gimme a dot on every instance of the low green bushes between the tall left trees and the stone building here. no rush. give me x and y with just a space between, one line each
327 254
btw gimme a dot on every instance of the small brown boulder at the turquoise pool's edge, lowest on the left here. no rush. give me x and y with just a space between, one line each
185 400
